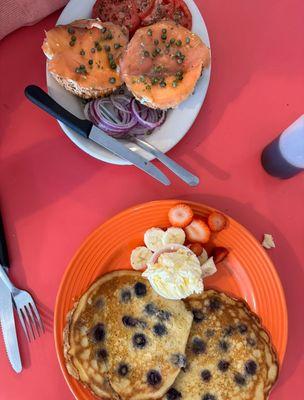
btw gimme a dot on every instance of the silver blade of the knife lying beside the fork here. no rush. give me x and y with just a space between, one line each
7 322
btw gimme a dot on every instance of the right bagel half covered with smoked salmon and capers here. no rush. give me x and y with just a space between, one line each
162 64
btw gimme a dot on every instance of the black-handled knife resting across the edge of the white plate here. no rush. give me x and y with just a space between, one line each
86 129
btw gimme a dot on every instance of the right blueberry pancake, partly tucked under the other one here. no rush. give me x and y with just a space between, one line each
229 354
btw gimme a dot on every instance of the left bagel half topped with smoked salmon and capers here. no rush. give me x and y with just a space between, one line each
84 56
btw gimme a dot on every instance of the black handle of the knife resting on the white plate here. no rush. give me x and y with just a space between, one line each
41 99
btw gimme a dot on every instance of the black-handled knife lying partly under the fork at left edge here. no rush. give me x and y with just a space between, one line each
7 319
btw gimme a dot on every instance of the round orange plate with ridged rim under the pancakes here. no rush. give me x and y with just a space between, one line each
248 272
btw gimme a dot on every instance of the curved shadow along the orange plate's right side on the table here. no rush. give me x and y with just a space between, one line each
291 275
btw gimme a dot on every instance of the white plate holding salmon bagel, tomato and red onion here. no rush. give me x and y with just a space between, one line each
178 121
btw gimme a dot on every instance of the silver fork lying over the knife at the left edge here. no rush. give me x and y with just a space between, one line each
26 308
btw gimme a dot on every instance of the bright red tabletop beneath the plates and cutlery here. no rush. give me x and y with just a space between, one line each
53 195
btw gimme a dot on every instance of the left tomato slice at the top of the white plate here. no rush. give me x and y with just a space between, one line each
120 12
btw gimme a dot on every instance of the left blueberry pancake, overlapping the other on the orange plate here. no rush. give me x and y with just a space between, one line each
124 341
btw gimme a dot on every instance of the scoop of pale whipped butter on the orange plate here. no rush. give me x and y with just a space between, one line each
176 275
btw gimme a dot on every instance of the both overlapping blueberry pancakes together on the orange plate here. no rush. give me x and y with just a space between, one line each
124 341
